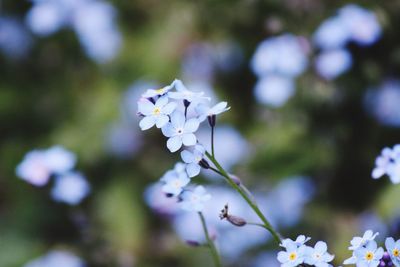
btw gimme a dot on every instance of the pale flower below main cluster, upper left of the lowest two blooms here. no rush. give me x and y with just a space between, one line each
174 182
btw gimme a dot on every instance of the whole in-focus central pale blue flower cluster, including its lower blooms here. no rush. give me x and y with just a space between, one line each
178 112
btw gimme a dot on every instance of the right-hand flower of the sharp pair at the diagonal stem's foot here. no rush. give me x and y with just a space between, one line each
318 256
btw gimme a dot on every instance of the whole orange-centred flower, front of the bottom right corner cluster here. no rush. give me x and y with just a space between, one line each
368 256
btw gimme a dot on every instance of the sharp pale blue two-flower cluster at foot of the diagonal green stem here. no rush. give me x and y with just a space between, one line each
298 253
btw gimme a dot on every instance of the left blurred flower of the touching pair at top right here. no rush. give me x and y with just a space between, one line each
332 34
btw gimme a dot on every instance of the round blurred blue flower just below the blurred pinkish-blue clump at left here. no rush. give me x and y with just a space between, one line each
70 188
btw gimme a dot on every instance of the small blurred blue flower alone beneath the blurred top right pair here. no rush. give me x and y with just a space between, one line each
332 63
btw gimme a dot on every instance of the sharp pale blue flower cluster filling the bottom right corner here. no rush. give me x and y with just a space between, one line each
367 253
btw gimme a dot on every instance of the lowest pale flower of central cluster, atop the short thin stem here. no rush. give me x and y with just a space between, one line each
194 200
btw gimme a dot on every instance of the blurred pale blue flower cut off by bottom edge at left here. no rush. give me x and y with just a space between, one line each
57 258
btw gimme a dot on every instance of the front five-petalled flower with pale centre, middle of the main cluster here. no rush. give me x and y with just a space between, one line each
180 131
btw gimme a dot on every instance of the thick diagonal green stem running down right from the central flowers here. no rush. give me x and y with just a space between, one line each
246 197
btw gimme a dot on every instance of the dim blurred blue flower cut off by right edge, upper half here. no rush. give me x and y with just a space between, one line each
383 103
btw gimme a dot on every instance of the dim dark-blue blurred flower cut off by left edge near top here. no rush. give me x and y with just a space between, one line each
15 40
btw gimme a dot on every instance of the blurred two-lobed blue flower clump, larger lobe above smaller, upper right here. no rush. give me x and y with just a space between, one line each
277 62
